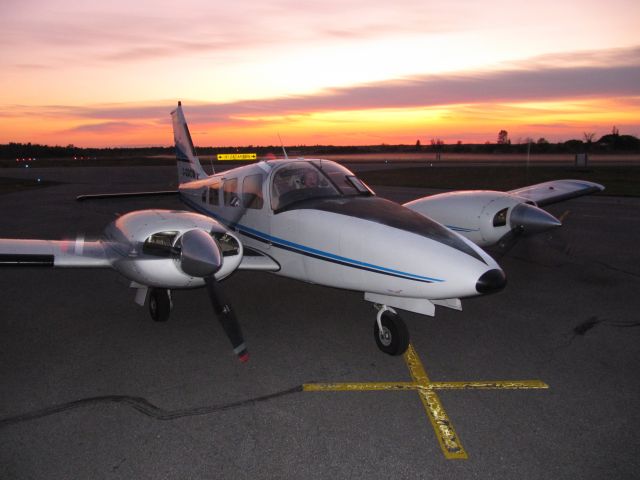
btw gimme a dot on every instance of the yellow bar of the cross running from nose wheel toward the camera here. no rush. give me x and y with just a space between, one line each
440 421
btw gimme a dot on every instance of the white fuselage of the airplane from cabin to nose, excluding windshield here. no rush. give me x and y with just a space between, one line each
354 242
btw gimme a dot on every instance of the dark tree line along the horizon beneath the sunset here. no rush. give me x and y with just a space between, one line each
613 142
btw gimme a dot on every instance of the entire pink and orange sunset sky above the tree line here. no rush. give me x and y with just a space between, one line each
317 72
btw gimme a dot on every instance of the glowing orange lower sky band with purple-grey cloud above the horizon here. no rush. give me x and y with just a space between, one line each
542 99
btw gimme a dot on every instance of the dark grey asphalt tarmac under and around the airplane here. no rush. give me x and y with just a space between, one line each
91 387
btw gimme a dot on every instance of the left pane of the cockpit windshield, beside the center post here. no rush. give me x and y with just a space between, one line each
299 181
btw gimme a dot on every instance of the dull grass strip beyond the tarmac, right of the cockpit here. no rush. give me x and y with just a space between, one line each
618 180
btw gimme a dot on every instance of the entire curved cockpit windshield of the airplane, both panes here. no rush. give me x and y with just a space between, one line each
306 180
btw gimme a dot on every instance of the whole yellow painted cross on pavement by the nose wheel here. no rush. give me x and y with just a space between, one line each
442 426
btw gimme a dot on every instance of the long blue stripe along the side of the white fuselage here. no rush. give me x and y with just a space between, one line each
308 251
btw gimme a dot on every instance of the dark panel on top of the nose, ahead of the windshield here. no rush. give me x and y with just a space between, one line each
386 212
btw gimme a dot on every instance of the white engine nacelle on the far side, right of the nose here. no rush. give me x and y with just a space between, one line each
482 216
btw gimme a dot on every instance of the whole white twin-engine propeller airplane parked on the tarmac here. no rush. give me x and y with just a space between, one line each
312 220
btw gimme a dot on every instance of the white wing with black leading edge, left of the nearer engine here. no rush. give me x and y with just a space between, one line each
53 253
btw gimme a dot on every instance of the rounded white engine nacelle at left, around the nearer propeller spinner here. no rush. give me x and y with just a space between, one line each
144 247
